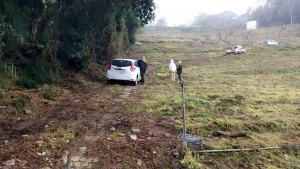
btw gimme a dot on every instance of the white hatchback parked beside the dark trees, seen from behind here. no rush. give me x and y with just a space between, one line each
124 70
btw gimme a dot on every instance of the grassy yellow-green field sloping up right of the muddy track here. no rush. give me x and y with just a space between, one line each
258 92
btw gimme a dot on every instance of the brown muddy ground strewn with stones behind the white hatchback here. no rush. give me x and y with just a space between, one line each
83 131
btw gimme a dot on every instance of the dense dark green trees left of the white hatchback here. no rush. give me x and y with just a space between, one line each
44 38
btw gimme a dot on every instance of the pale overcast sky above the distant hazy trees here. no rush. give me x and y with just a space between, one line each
179 12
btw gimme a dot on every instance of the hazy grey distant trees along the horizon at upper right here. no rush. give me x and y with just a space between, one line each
272 13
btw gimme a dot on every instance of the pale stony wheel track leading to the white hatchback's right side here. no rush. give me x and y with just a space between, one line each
99 128
